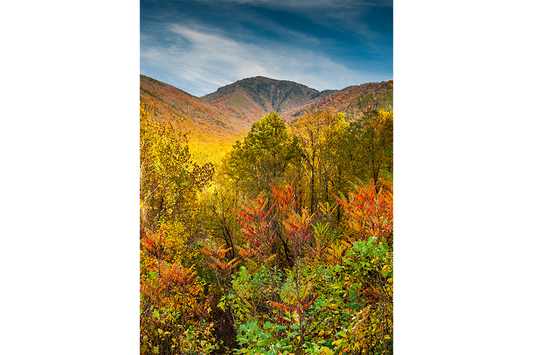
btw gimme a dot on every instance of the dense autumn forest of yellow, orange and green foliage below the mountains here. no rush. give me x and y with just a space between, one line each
283 245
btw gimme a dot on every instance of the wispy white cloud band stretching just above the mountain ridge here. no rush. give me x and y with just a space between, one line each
199 60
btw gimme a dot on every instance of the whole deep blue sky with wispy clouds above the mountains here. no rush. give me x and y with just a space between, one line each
201 45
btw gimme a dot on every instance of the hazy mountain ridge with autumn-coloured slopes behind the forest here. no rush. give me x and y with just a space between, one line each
229 112
